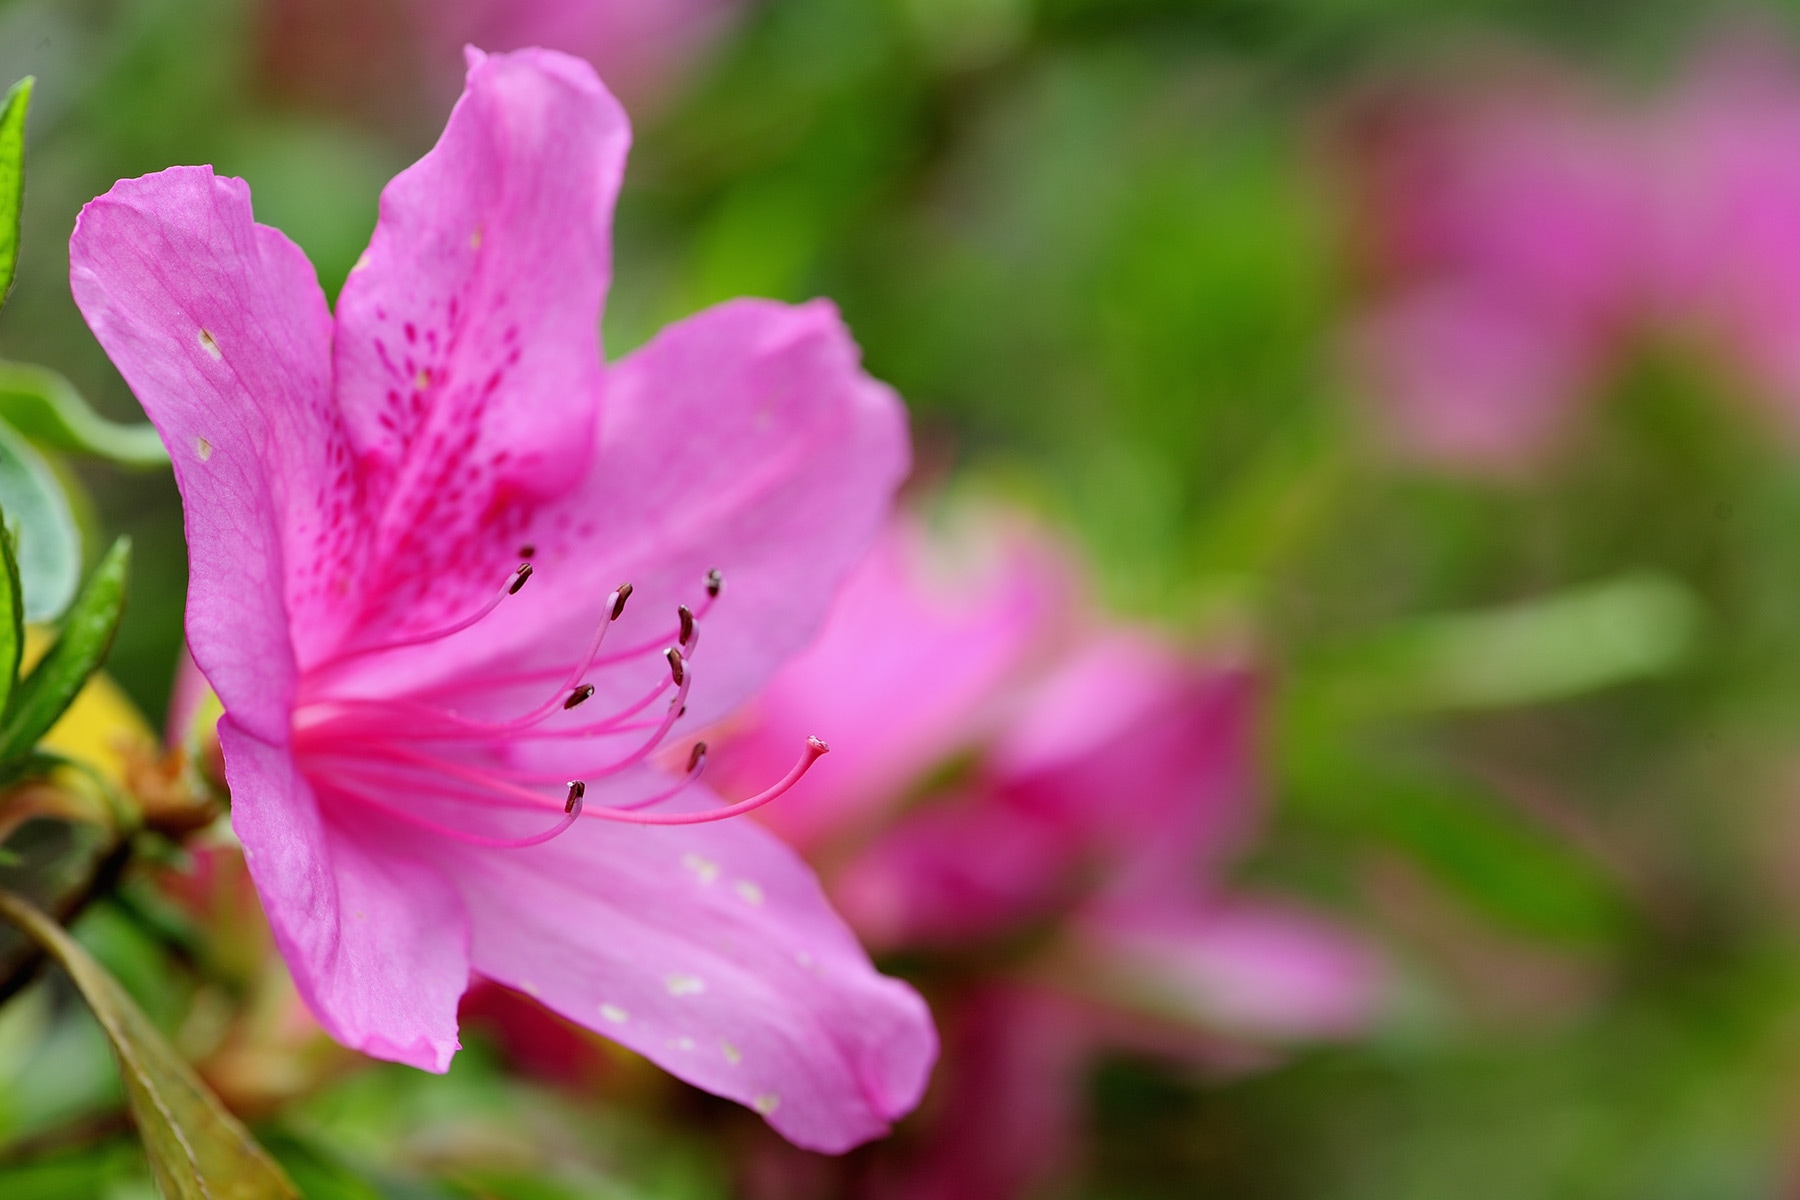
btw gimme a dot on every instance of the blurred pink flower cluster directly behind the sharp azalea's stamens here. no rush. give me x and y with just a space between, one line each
1061 832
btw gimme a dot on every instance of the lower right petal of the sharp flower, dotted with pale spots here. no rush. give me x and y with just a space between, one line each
710 951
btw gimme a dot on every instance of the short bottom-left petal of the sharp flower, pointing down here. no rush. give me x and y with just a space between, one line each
377 942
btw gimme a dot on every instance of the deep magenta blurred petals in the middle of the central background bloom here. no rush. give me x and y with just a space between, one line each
1128 766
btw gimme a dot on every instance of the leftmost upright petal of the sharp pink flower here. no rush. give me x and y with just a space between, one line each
220 330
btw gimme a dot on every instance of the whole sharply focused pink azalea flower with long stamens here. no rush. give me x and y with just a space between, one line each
366 499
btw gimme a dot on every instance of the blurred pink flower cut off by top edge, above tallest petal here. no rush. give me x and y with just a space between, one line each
640 48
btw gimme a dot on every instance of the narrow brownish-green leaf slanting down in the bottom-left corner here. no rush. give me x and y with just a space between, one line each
197 1151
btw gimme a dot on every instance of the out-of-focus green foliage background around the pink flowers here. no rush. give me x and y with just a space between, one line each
1106 255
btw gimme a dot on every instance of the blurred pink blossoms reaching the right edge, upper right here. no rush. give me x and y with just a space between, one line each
1529 233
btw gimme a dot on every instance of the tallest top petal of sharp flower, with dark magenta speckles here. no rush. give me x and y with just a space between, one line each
469 337
